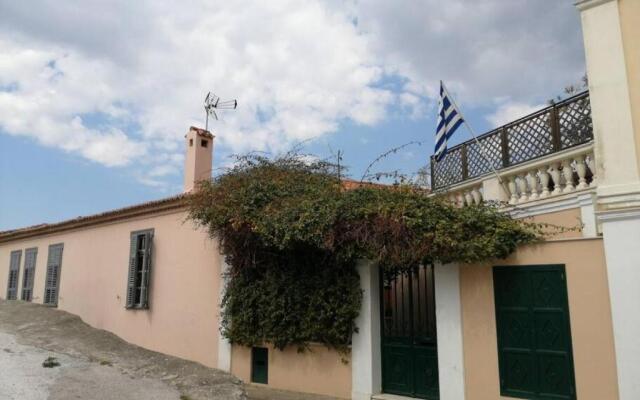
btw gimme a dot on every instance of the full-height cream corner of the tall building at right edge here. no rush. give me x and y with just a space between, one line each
611 32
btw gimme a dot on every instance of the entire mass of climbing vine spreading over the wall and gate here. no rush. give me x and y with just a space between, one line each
292 232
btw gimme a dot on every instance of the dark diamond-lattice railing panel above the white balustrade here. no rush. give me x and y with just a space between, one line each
555 128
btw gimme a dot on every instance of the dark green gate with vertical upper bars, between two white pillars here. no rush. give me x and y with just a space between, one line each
409 351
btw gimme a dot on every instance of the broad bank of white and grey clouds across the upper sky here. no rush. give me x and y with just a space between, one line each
120 82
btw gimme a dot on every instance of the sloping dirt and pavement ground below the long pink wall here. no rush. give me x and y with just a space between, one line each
94 364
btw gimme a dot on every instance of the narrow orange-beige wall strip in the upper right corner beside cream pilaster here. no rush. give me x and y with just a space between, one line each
630 27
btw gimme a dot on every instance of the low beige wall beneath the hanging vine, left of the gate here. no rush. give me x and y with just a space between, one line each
320 371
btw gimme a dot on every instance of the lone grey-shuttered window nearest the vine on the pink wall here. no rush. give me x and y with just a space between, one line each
140 261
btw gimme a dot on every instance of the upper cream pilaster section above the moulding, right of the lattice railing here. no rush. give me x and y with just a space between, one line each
615 150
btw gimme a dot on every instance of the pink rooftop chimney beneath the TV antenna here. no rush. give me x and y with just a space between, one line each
198 158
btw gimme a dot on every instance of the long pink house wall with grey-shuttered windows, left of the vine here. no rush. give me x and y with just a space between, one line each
183 315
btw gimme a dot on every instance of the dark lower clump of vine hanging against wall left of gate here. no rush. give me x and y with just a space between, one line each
308 298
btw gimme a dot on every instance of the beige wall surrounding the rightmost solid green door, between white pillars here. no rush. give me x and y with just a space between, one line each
589 308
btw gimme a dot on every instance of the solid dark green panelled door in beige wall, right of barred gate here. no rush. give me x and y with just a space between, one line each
534 335
